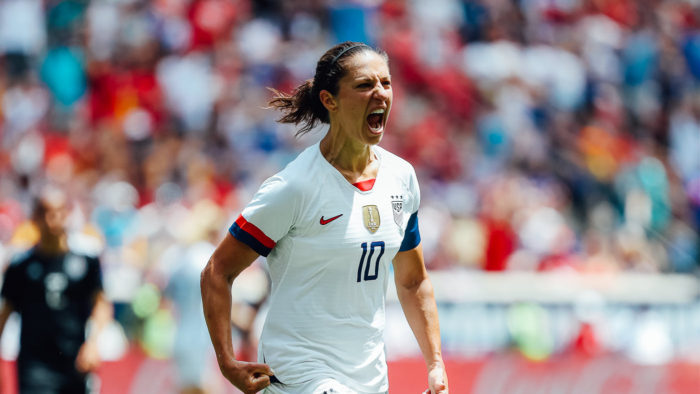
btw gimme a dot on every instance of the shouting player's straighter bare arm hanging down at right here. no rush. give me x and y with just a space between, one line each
415 292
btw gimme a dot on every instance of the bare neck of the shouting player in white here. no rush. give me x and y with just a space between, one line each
352 159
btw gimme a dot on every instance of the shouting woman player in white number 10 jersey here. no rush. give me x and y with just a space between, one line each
329 223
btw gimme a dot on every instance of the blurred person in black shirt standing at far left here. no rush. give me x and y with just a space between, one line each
55 290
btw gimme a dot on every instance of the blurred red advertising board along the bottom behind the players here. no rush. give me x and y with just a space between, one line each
498 374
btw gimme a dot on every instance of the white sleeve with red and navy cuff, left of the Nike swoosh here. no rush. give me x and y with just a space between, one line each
268 217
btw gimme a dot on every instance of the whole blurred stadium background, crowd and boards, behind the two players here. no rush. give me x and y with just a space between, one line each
557 143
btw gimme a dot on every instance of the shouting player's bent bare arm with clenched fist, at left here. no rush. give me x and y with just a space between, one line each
229 259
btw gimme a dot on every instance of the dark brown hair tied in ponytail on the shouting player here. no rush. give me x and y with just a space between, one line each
304 104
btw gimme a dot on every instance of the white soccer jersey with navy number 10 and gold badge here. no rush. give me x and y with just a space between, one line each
330 245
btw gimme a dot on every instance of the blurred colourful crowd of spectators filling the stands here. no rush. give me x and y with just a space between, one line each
546 134
